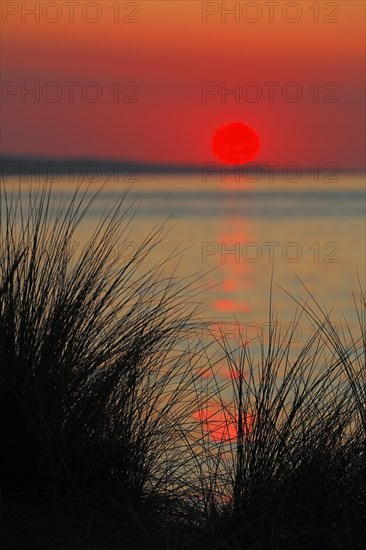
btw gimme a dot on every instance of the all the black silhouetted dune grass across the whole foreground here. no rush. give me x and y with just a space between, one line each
100 377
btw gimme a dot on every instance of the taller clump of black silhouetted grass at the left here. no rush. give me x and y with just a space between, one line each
93 369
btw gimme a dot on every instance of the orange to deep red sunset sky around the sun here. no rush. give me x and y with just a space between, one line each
168 53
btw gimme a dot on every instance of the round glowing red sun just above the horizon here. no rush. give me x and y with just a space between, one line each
235 143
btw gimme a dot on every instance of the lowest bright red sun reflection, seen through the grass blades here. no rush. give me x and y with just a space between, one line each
221 424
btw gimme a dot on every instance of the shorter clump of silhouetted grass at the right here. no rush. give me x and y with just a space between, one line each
294 475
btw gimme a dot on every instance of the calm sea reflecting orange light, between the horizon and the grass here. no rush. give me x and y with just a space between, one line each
241 233
